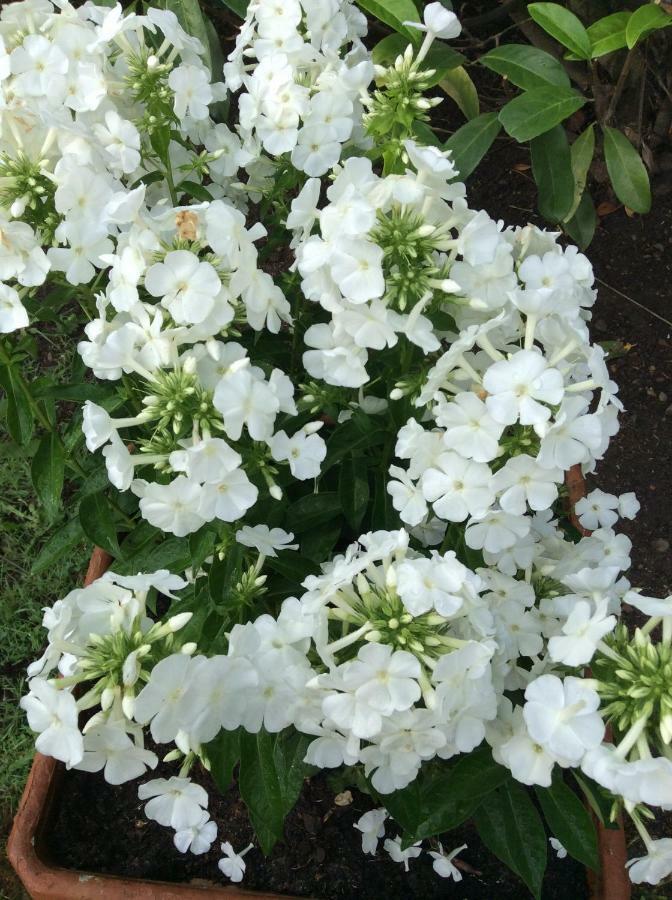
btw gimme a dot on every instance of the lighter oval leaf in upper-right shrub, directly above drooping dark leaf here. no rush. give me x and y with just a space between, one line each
534 112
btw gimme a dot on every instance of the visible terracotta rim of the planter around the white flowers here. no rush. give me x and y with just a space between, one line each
44 881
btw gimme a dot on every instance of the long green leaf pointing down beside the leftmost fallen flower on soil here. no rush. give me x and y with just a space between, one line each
272 772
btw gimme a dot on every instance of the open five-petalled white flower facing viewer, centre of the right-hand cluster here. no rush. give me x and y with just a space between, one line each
518 388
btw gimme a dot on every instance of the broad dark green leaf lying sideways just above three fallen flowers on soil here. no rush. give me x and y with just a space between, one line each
444 795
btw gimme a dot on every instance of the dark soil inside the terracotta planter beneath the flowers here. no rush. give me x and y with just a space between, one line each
101 828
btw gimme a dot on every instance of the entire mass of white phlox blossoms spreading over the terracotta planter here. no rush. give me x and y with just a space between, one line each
115 177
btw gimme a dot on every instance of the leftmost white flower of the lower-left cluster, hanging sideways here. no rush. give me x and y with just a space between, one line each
53 713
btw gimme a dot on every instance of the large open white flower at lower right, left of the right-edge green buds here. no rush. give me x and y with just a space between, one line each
563 717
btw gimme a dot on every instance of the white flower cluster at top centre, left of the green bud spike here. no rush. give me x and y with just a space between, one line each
303 86
